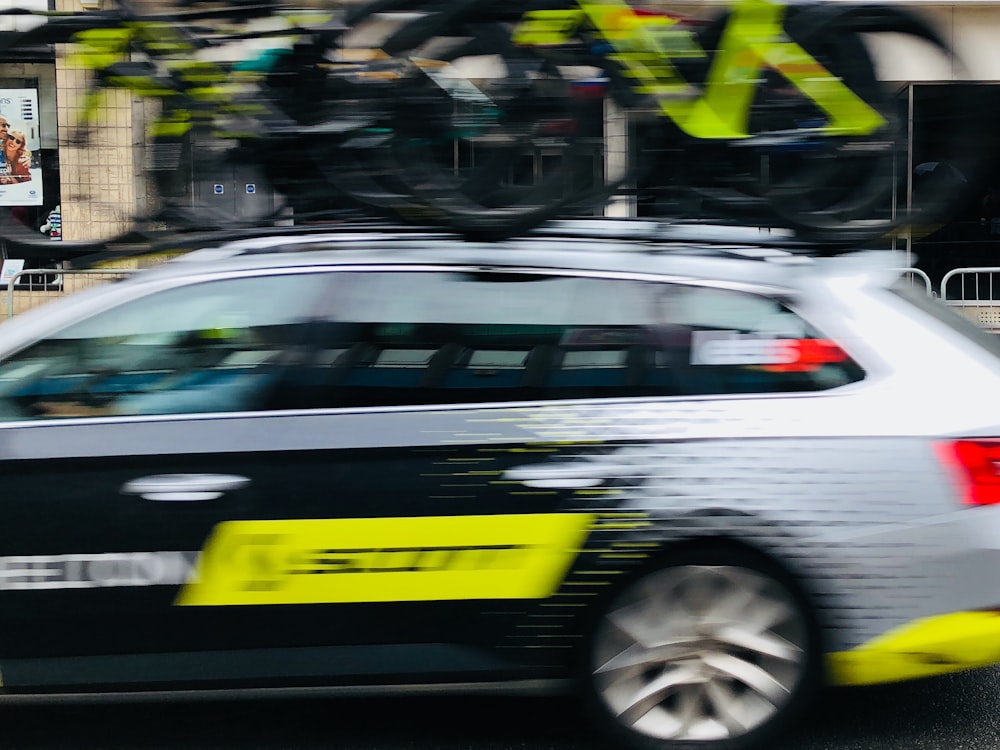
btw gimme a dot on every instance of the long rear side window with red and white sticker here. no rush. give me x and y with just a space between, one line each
427 337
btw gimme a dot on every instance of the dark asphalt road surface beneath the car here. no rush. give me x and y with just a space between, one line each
959 712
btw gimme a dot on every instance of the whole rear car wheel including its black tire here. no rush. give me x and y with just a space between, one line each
712 649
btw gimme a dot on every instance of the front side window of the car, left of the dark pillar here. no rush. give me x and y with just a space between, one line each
217 345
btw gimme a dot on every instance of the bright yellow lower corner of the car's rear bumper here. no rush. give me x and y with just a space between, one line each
923 648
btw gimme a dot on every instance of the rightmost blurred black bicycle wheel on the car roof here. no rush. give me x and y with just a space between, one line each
848 189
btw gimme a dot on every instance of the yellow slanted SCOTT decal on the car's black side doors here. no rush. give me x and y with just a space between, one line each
386 559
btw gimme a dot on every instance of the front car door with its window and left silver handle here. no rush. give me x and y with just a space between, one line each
127 438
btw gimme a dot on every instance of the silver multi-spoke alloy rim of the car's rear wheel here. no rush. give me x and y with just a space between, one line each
700 652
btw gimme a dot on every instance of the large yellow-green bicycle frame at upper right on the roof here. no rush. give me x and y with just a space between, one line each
754 40
